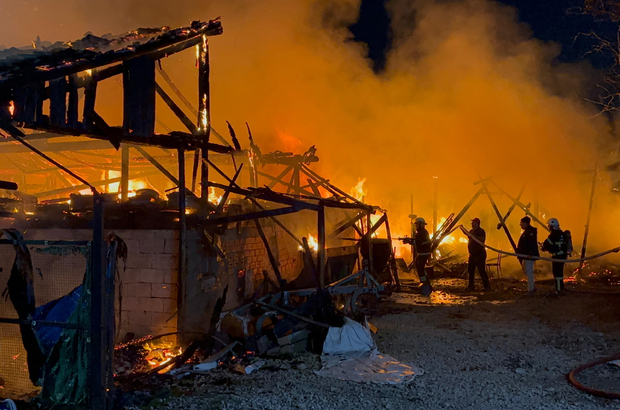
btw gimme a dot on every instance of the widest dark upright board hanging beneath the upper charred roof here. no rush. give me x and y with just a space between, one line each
139 89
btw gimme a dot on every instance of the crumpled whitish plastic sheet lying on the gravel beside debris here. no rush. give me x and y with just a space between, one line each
350 353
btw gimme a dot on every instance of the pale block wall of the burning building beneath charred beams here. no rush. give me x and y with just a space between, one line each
146 300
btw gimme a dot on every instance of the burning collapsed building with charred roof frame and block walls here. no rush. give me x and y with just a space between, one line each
182 236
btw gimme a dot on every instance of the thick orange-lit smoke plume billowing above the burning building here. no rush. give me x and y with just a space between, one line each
467 93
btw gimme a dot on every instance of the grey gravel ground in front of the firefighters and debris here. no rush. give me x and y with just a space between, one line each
476 350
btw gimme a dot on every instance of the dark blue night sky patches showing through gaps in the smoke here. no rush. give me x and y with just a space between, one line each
550 20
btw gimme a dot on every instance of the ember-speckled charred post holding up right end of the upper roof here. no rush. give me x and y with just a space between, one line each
204 112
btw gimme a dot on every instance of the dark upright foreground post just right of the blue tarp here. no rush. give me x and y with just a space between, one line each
97 349
